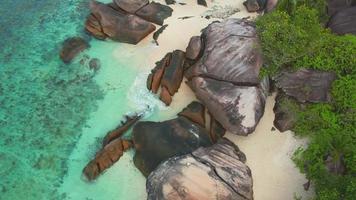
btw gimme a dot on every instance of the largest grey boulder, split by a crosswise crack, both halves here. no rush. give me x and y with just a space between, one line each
226 76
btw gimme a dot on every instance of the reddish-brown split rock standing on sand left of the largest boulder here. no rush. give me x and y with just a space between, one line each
168 74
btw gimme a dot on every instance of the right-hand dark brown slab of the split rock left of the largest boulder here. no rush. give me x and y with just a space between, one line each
173 74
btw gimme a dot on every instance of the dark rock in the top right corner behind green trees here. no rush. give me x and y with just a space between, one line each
343 16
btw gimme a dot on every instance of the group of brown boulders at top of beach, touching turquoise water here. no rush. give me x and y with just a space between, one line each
126 21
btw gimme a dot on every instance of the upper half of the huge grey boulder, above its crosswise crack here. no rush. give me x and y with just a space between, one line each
231 53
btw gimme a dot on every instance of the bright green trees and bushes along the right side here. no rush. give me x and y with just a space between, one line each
294 37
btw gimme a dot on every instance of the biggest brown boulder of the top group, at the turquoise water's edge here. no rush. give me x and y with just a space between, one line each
106 22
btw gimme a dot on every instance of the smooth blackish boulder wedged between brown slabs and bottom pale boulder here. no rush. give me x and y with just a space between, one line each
157 141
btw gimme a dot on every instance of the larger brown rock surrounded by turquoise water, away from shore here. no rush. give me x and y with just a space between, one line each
72 47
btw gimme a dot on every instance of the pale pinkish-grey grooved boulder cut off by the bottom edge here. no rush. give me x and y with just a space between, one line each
212 173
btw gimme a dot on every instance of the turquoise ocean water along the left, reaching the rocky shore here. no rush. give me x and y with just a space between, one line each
53 115
